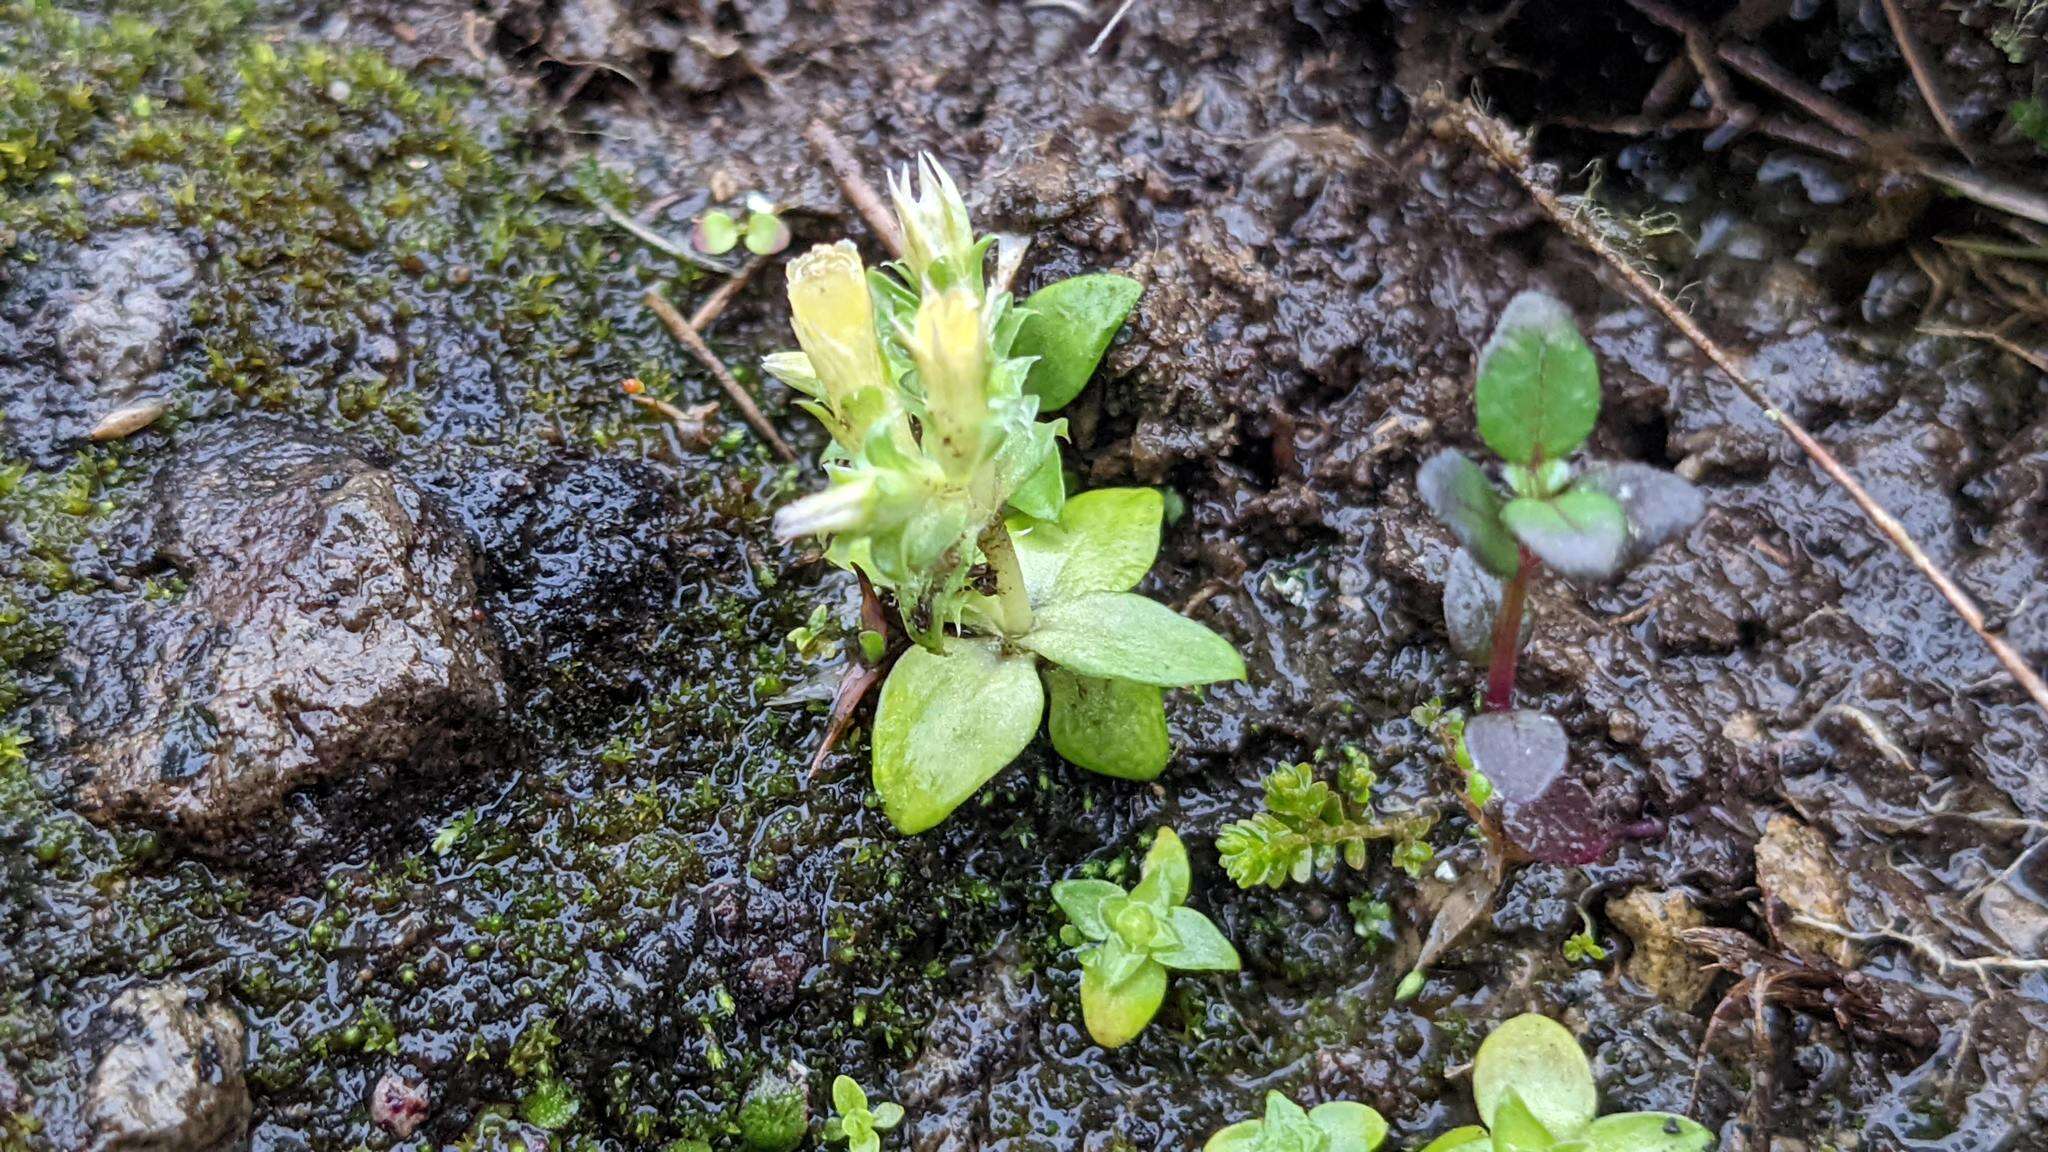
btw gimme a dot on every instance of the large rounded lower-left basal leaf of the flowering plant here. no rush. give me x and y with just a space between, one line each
949 723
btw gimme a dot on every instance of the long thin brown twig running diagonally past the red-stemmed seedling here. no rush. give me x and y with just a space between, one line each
1510 151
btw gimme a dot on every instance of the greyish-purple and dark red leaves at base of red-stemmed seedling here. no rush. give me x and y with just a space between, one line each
1545 811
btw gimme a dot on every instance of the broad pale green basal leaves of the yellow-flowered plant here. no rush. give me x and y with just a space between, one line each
951 721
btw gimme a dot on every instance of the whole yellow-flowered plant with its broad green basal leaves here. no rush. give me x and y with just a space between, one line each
945 493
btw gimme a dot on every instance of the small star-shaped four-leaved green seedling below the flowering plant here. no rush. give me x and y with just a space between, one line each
1129 942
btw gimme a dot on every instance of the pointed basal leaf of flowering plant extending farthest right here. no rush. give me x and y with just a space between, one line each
1132 639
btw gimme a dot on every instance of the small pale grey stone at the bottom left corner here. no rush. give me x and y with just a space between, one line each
171 1081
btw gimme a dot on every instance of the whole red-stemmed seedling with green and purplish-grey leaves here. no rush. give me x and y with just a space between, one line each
1537 399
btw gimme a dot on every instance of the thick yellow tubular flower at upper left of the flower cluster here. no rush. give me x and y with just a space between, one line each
835 319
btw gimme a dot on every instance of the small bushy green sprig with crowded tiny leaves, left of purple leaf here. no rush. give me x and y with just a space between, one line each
1308 827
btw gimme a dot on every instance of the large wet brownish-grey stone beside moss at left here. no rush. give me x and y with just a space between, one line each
327 634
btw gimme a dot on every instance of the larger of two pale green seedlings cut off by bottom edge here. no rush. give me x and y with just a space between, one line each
1535 1094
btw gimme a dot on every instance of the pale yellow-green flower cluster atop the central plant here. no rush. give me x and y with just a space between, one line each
933 434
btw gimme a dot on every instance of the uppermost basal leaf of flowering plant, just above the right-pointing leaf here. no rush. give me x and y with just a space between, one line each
1105 542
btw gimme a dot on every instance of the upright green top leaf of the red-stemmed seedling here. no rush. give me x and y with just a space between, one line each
1539 386
